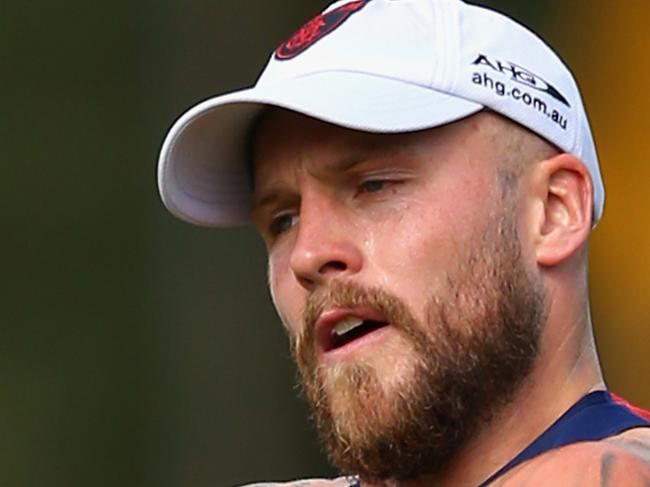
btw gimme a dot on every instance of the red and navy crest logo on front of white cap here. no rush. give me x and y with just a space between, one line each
316 29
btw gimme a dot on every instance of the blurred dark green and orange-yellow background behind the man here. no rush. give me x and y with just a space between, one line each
140 351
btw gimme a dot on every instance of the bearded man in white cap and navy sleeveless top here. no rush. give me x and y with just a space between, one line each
425 180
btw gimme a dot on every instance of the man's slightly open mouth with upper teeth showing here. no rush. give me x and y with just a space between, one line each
338 329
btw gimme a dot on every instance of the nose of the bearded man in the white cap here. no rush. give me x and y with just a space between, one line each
325 247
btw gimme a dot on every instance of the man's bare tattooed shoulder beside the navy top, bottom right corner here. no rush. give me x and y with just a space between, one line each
623 460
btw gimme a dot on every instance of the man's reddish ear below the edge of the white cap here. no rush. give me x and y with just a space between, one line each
565 191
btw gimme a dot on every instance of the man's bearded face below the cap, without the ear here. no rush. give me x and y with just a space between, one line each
395 266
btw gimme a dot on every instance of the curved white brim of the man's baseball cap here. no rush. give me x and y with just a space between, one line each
203 175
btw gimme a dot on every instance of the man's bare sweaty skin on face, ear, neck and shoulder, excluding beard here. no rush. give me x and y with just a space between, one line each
396 211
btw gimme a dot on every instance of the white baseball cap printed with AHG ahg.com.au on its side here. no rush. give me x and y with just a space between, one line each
378 66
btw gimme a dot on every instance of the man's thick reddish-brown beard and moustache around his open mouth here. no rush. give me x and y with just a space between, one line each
450 373
